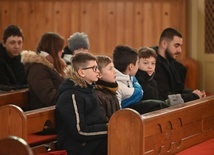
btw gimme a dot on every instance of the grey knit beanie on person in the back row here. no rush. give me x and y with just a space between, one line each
78 40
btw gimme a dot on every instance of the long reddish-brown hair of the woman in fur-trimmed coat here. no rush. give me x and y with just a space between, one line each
52 43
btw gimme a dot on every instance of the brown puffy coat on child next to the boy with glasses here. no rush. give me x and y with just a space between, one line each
106 93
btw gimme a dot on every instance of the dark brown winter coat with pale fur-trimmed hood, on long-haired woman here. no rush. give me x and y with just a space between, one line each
43 80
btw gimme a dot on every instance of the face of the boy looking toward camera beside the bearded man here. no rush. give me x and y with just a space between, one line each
147 65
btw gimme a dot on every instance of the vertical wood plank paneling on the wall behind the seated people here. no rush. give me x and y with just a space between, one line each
108 23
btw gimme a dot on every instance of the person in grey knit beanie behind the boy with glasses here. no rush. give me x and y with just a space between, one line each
78 42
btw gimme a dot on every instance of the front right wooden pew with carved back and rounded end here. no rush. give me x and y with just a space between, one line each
166 131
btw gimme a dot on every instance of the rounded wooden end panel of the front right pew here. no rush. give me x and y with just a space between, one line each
126 127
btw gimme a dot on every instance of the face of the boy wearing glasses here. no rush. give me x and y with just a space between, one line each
90 72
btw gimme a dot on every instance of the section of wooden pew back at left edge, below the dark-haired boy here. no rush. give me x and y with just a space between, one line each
17 97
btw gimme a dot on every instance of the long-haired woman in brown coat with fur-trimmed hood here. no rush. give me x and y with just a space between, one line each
45 70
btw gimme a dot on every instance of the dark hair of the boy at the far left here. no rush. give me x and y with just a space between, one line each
12 30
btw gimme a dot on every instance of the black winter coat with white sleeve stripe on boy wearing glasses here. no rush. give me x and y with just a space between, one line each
78 117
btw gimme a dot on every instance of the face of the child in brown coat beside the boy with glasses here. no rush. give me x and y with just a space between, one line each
108 73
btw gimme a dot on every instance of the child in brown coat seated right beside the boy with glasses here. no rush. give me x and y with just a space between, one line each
106 87
